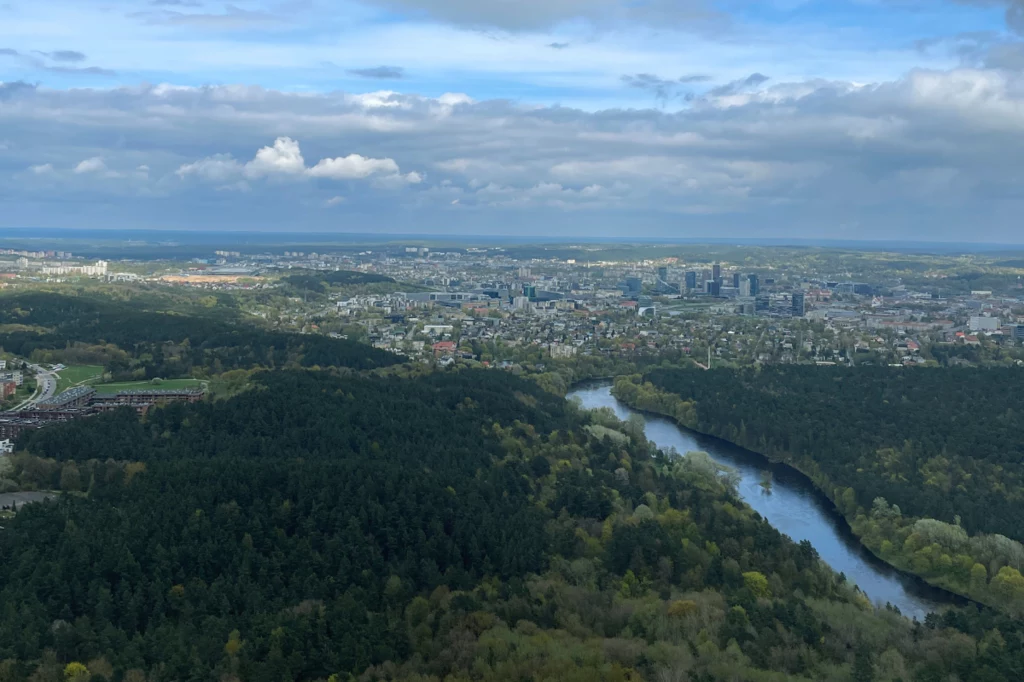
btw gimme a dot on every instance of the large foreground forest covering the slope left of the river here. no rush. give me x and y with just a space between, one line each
457 526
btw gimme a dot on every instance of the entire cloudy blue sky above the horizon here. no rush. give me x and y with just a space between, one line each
814 119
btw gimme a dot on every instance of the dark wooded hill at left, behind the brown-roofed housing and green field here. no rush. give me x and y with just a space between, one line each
136 343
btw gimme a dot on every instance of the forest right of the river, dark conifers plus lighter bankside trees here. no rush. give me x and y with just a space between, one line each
926 464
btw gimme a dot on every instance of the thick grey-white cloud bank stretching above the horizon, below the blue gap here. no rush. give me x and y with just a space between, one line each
935 155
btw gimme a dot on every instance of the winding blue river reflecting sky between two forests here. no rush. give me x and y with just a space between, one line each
794 506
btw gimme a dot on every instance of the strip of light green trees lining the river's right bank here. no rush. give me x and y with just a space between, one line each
982 568
